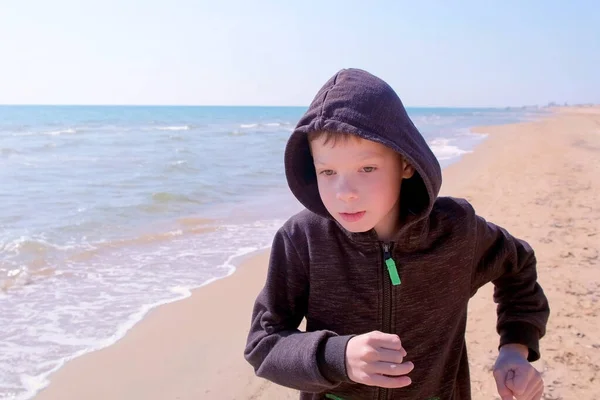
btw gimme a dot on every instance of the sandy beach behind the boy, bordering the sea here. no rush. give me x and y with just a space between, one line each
540 180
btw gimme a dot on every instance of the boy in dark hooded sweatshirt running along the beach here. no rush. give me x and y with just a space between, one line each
382 268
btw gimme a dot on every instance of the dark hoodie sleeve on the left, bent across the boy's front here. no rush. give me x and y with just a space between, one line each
278 351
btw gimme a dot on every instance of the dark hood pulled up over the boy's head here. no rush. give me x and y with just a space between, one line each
357 102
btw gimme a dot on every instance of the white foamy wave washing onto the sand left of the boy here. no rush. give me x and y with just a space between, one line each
78 317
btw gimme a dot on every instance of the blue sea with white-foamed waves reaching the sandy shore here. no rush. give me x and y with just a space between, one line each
109 211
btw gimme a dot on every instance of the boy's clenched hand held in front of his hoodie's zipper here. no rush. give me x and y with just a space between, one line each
375 359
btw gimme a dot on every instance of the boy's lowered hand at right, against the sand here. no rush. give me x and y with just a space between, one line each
515 376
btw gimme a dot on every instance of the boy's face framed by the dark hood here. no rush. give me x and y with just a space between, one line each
359 183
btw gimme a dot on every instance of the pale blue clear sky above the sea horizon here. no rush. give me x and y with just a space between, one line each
468 53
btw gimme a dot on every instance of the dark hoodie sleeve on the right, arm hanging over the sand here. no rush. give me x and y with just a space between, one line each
510 264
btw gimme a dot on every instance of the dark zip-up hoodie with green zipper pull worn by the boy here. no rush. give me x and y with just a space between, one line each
340 283
